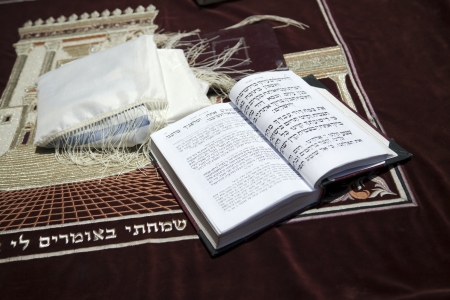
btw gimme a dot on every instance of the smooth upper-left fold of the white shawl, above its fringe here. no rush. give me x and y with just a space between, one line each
98 86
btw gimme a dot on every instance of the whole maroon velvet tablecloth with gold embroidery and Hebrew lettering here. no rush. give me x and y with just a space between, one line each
64 233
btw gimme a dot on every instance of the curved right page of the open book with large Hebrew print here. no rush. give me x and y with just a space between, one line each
313 135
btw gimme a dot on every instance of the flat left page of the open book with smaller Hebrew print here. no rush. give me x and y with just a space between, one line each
227 166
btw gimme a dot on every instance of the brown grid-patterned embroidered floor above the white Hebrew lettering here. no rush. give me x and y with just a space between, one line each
91 200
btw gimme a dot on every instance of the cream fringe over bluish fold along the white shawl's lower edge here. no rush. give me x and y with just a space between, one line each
107 142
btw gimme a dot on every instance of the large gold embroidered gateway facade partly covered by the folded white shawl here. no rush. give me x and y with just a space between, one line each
44 46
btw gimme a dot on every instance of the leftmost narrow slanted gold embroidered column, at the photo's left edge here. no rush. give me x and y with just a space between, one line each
22 51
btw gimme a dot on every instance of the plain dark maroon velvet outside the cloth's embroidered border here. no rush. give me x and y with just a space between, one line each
400 50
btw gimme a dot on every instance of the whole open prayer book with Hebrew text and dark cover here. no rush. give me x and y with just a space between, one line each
239 167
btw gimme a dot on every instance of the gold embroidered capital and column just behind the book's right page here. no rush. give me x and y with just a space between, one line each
322 63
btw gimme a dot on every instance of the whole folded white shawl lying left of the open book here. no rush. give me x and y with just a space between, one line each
119 91
